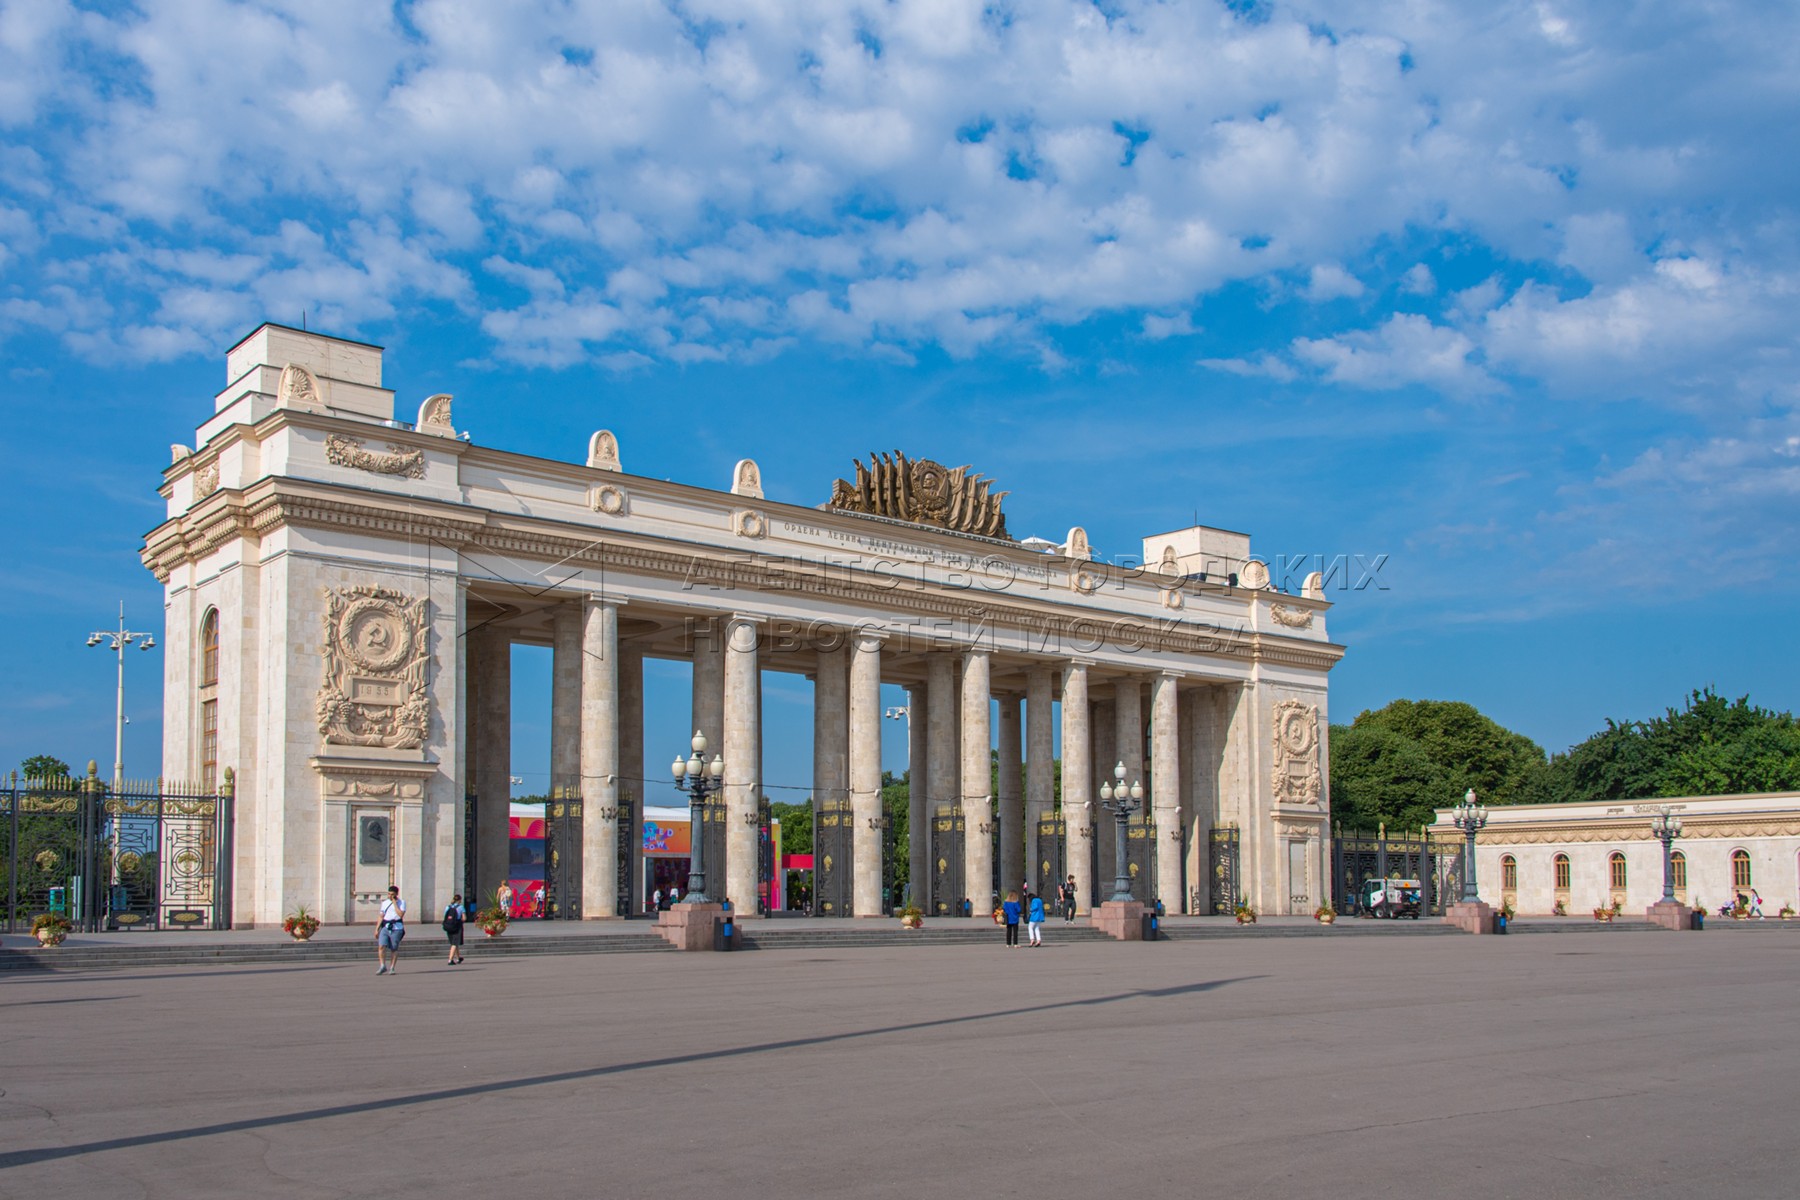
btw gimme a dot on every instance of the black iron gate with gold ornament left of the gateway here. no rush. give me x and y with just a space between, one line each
147 857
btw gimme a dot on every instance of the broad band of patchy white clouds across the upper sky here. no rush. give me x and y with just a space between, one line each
926 172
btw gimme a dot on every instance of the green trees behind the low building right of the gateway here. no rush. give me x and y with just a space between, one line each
1399 764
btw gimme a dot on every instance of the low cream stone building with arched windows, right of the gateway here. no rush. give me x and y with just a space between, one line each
1765 828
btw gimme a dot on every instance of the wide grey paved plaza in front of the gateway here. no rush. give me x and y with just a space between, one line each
1579 1066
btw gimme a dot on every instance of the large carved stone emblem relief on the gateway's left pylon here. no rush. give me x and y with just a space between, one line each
377 658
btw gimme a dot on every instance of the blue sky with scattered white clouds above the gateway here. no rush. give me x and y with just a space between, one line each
1500 292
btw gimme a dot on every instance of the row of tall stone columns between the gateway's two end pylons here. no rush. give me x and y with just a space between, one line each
1174 746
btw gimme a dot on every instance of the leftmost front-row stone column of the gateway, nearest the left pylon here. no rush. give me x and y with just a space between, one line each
600 760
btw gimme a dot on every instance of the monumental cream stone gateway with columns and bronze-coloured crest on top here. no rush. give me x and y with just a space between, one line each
345 591
